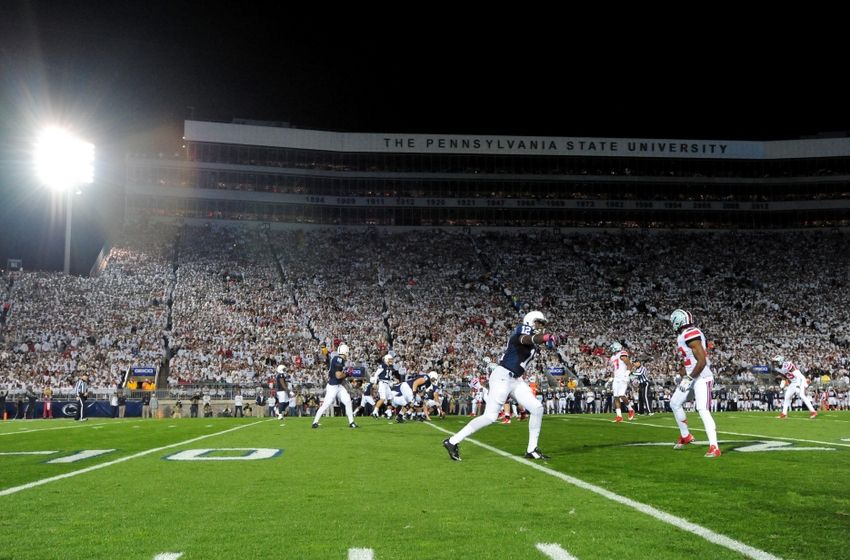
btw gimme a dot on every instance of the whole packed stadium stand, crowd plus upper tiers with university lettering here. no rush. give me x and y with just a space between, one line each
261 246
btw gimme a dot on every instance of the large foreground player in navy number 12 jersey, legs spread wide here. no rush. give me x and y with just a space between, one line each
506 380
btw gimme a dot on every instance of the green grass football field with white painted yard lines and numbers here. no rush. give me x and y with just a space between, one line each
261 488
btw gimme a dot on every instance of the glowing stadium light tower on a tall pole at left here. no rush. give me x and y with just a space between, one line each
62 162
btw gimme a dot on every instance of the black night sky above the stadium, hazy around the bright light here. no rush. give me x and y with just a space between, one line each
126 75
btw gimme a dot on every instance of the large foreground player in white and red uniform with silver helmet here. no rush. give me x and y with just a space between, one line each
697 377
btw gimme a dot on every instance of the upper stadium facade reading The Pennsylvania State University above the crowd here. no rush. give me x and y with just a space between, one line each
257 172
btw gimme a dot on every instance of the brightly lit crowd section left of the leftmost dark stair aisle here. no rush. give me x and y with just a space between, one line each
59 326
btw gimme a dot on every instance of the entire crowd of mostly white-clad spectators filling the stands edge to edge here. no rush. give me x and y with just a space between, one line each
222 307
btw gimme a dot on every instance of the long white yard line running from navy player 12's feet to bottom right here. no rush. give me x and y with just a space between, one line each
678 522
